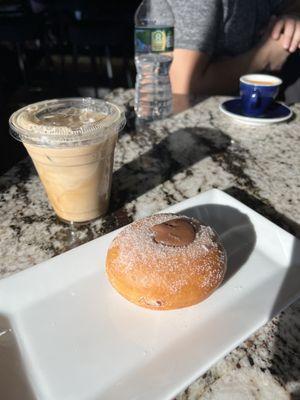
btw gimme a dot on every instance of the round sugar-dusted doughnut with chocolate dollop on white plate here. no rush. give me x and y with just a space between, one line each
166 261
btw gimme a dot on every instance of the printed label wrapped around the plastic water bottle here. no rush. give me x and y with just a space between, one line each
154 40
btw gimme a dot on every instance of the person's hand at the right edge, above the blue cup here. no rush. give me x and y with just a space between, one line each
287 27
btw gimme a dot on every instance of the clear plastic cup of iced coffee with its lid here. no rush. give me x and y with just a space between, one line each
71 143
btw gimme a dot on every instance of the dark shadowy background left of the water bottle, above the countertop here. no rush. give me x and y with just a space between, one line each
56 48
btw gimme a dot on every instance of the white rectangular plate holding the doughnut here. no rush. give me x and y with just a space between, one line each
65 334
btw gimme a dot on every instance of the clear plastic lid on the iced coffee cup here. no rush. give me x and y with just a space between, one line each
66 122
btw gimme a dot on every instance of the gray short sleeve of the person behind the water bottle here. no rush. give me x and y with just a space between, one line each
197 23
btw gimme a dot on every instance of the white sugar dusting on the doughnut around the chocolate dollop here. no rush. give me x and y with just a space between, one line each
172 266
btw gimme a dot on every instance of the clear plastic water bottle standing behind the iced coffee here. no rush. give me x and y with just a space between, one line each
154 44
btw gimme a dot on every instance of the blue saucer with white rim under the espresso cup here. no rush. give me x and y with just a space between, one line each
279 112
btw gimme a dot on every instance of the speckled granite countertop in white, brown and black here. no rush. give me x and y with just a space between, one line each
165 163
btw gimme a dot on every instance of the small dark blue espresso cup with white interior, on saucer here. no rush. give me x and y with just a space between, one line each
258 91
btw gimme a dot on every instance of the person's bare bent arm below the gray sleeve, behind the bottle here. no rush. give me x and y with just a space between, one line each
193 71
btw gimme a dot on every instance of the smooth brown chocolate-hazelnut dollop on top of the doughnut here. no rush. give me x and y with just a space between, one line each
175 232
